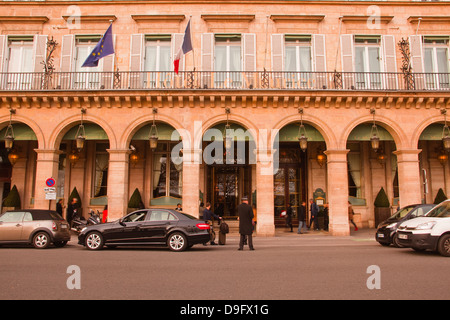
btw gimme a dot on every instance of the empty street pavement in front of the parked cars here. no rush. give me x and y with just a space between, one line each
285 267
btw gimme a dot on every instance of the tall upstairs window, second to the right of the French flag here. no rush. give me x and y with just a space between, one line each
297 60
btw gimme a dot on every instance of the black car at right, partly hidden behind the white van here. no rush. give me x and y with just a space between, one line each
387 230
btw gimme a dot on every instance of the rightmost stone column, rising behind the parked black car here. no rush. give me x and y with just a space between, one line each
409 180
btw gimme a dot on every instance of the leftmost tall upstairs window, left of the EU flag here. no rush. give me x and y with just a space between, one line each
20 60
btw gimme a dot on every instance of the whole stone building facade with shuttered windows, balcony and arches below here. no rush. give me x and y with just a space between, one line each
271 70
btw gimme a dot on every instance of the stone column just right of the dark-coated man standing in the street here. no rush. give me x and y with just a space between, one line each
264 193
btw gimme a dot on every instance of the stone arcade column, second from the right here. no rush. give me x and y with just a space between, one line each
338 192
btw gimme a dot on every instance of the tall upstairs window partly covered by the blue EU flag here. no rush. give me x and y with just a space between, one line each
86 78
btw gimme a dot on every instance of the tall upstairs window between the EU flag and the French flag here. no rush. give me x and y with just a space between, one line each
157 59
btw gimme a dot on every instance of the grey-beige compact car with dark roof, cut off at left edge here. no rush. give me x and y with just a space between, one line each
37 227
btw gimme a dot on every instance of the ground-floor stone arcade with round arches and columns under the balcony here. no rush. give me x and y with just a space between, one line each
119 122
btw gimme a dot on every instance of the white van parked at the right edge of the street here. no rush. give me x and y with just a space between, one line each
430 232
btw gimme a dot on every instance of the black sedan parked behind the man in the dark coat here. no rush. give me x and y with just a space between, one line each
174 229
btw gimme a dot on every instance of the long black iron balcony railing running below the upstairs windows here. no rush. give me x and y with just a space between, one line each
219 80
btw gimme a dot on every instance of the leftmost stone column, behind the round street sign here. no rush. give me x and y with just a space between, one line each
46 167
